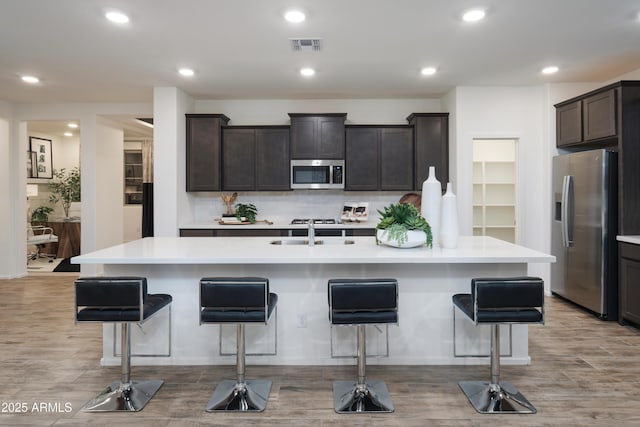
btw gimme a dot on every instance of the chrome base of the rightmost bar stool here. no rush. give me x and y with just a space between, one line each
489 398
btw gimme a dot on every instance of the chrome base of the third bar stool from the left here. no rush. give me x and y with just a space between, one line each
350 397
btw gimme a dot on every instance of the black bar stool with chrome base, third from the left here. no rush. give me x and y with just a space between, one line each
360 302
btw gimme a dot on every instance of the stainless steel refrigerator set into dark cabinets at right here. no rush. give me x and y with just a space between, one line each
583 231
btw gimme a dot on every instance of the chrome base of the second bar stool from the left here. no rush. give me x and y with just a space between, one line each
230 395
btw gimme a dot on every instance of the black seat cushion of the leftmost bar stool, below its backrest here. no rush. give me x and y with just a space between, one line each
152 304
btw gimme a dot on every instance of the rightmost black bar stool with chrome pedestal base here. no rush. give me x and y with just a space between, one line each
497 301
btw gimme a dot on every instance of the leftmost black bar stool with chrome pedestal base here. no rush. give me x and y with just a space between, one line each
125 300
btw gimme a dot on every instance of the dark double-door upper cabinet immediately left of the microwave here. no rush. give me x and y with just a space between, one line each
255 158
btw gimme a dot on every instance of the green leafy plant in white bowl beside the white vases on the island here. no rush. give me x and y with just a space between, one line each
402 226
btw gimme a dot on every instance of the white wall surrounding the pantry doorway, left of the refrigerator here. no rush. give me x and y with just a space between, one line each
508 112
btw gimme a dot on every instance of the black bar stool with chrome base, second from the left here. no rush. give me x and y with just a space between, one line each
237 300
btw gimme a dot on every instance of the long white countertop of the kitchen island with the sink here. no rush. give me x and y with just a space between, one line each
258 250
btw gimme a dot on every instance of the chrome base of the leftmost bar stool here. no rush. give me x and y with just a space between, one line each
127 397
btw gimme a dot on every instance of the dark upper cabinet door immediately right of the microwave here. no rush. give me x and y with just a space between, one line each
361 159
